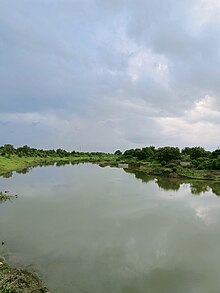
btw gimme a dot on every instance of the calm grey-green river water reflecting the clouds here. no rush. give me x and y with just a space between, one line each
92 230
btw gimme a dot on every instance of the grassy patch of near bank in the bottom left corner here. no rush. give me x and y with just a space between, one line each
14 280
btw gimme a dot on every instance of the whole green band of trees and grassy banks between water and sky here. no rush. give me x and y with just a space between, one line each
191 162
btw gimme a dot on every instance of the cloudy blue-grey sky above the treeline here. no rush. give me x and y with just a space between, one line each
102 75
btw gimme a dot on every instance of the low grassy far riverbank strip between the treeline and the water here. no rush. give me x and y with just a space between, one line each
172 170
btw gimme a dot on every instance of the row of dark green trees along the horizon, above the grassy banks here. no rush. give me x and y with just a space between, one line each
192 157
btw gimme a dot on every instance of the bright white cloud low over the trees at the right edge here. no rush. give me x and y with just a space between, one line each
195 126
